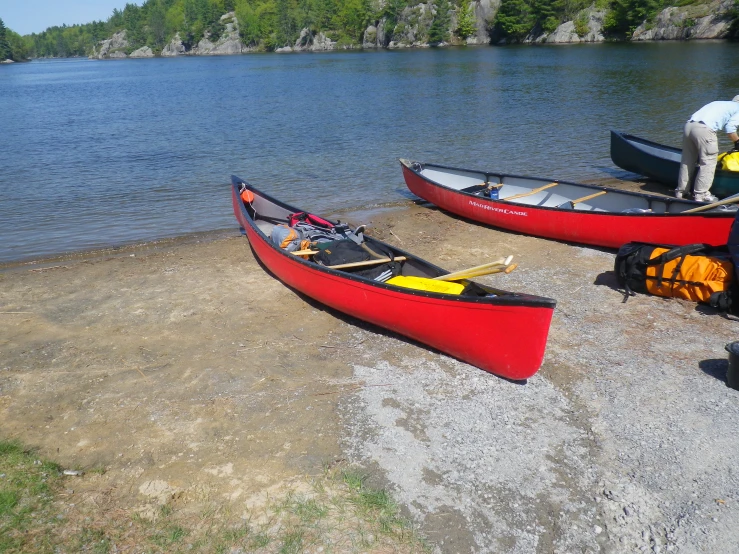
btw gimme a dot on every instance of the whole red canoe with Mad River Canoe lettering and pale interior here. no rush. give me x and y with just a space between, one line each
566 211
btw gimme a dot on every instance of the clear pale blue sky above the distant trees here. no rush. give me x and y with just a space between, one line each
33 16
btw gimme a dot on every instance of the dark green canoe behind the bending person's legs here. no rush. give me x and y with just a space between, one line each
662 163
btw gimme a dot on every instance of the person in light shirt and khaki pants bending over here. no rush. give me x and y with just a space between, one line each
700 145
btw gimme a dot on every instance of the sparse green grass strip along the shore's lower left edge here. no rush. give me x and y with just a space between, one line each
336 513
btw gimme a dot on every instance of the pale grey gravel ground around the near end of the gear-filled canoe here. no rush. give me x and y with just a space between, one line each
625 441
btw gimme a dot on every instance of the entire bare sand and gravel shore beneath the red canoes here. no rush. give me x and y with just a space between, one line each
189 373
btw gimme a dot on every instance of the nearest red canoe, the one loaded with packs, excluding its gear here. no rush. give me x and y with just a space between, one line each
501 332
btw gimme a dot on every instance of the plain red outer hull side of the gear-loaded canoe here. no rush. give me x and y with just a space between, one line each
504 339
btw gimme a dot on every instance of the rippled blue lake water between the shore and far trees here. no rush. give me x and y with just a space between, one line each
98 154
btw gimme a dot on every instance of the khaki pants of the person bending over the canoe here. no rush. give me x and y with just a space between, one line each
700 145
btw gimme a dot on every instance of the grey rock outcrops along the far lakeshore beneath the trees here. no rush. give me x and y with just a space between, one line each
691 22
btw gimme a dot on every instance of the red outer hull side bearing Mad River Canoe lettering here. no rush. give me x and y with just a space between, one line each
610 230
